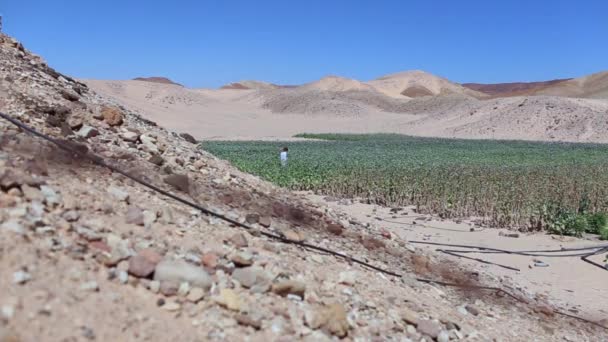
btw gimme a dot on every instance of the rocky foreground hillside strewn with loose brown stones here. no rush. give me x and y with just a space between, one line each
88 254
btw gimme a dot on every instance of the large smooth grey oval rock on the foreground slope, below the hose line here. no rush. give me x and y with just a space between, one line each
179 271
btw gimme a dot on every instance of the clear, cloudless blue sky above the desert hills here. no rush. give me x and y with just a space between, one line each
210 43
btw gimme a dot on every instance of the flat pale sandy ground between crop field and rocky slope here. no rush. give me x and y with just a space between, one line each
570 283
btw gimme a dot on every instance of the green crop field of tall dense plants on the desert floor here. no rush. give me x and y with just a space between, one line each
530 185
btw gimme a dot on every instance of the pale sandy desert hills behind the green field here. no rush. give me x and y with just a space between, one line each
339 105
